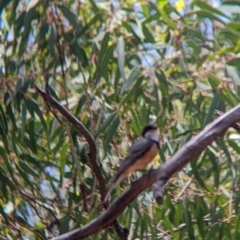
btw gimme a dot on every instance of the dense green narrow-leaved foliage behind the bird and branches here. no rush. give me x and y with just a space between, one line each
116 66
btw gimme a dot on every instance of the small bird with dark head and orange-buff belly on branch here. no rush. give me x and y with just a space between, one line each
141 153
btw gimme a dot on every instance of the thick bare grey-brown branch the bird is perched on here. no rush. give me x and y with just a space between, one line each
190 151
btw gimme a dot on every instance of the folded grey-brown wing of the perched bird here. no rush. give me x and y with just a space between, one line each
138 149
